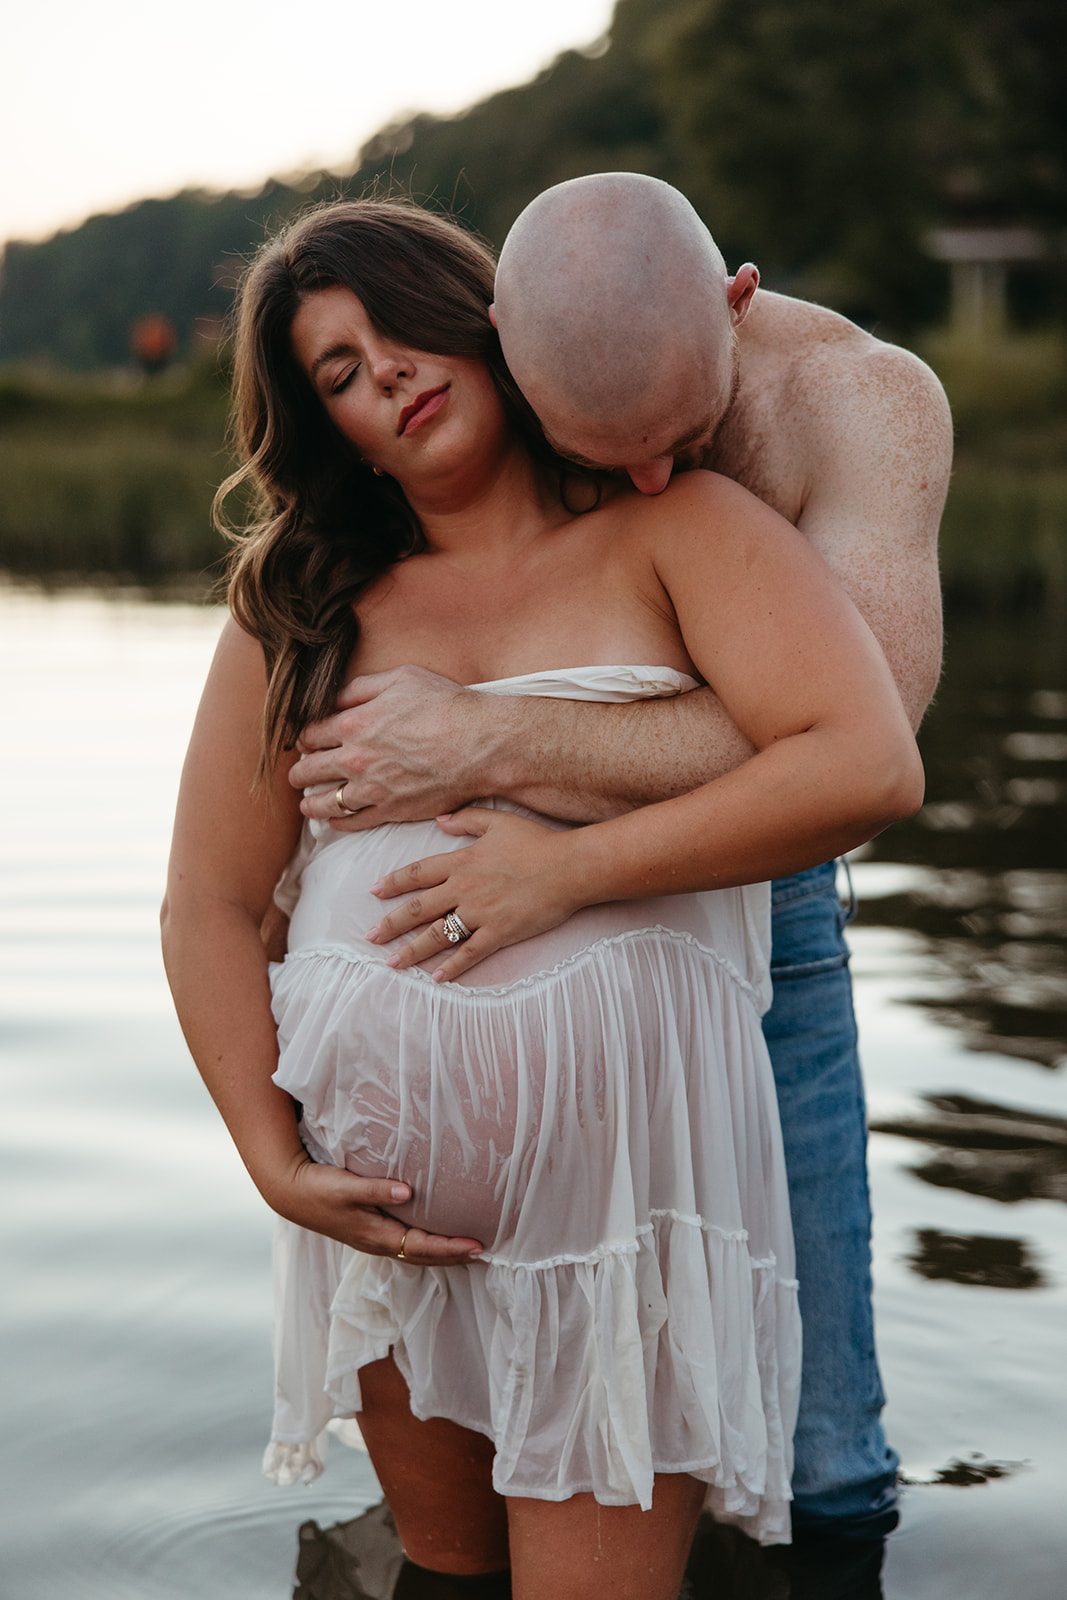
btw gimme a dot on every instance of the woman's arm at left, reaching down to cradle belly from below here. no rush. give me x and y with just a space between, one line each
230 847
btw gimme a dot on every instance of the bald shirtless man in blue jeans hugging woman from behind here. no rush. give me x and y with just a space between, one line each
642 354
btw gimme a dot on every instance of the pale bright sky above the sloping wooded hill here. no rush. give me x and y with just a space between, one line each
110 102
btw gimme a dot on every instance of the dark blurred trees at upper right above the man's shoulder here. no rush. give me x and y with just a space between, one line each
825 140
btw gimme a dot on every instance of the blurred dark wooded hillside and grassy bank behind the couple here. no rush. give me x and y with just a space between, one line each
818 140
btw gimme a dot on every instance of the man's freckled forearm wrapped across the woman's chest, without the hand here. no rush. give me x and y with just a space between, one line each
588 762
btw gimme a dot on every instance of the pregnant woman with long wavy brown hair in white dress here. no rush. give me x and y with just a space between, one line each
593 1106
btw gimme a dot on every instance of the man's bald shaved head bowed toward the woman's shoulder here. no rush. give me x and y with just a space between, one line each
612 305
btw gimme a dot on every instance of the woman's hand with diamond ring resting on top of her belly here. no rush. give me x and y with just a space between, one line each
511 886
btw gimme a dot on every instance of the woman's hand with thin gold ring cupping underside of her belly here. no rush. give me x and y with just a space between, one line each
356 1212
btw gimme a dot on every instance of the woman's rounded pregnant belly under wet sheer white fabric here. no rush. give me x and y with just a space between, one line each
468 1090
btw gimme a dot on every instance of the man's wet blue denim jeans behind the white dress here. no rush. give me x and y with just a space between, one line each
844 1468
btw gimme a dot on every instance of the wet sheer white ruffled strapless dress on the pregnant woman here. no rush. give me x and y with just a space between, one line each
597 1108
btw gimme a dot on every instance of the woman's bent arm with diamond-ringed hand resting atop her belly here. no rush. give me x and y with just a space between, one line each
773 633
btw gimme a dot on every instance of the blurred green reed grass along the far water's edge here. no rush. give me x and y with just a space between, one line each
113 478
